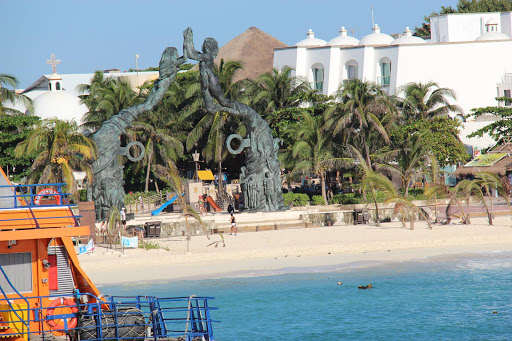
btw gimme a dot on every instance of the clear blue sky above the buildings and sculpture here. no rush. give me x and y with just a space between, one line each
103 34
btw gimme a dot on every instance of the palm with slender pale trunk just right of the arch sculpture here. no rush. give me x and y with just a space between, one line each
314 150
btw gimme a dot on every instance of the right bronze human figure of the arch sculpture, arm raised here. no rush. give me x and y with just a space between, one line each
261 155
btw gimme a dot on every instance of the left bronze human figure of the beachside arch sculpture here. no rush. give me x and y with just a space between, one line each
107 189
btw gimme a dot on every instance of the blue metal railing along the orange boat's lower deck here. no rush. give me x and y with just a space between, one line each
117 318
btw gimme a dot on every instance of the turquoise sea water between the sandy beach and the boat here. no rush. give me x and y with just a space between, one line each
439 299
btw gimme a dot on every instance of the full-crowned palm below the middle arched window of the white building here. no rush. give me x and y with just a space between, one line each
363 111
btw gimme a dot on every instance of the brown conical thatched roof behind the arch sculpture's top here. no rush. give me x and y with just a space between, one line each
255 49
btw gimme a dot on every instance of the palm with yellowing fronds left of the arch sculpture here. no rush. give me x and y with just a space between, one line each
61 149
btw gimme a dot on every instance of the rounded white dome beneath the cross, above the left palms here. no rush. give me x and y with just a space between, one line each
60 104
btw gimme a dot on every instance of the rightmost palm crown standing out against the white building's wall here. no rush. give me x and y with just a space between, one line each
426 100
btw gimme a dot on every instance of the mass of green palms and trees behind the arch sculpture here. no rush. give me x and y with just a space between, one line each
360 137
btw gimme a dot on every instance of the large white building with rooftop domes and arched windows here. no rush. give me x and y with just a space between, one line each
469 53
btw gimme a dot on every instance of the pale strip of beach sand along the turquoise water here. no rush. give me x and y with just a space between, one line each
270 252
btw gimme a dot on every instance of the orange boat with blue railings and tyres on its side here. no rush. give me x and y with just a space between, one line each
45 294
